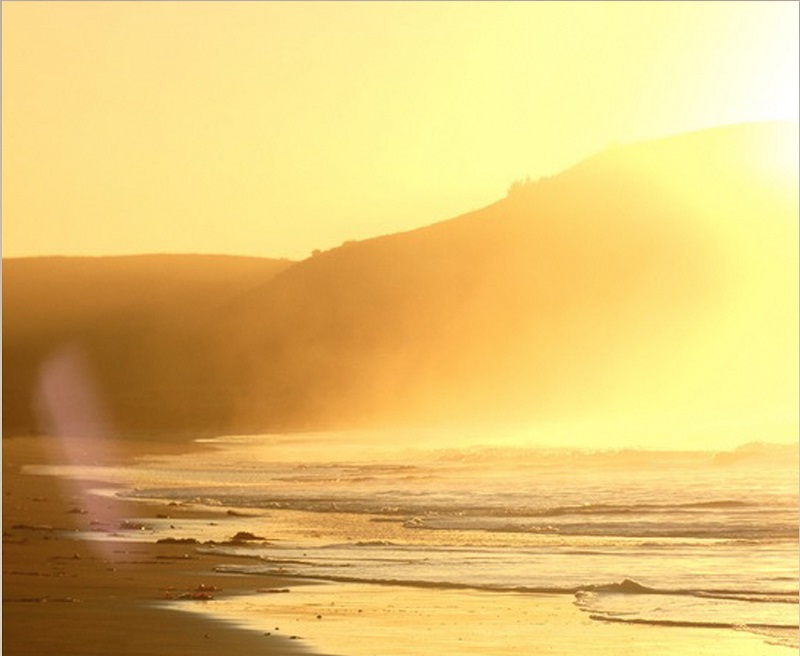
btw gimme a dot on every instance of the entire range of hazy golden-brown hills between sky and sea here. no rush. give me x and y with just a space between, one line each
653 280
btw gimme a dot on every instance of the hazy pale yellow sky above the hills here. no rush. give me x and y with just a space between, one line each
273 128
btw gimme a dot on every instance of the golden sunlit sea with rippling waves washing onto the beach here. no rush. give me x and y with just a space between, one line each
688 539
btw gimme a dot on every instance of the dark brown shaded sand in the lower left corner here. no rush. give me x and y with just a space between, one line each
62 595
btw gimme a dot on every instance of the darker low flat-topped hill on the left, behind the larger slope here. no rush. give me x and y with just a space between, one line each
138 323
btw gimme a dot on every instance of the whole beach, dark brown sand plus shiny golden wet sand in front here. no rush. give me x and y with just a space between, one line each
64 592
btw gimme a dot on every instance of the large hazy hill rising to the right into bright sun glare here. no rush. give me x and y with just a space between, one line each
658 277
